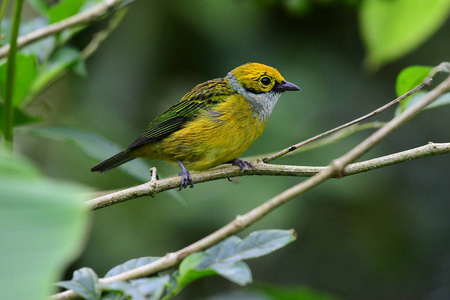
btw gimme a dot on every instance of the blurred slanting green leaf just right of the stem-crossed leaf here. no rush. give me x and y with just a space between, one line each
61 61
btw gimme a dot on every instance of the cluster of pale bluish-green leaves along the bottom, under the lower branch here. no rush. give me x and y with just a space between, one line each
224 259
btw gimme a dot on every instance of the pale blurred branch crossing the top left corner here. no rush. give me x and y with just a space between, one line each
81 18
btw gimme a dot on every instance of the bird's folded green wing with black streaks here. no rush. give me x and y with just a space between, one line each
202 97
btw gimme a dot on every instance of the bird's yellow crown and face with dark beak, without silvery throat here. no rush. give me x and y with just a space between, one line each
258 78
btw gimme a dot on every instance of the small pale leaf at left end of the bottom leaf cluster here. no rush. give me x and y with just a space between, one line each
84 283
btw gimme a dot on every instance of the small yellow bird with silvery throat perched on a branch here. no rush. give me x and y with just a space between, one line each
212 124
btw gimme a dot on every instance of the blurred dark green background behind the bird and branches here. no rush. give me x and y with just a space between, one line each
380 235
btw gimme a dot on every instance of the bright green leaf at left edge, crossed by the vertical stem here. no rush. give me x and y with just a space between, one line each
26 72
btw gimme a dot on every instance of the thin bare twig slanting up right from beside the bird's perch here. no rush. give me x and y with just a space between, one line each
378 110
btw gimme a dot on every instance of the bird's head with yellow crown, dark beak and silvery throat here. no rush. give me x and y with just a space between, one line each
261 85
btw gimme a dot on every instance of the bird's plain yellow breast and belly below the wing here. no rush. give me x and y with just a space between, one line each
216 136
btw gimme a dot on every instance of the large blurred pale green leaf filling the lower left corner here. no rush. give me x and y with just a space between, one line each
42 228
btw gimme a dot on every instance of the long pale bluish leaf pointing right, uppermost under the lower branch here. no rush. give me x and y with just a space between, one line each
257 244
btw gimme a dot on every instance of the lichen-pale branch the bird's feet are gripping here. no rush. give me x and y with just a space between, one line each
154 187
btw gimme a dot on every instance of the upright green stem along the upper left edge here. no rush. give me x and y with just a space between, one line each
10 76
